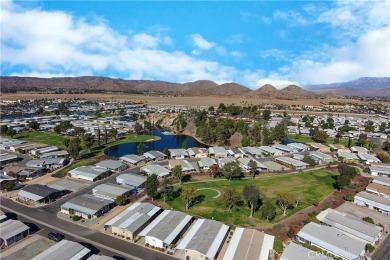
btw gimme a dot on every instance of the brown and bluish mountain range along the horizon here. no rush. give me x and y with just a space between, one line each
359 87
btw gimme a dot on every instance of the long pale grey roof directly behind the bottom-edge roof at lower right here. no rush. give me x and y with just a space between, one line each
332 240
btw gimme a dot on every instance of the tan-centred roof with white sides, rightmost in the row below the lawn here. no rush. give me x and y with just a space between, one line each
249 244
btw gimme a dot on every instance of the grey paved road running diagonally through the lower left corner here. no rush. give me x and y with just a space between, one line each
102 242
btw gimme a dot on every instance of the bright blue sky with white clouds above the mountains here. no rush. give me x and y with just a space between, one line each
248 42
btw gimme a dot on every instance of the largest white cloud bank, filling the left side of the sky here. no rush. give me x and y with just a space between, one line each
55 43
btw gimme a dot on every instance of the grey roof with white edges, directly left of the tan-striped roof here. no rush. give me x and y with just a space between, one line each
205 237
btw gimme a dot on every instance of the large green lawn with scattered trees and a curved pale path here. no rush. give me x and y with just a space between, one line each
313 186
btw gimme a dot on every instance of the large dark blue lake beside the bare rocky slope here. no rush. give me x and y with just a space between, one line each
166 141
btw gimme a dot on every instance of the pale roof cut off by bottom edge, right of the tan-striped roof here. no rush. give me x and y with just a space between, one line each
294 252
